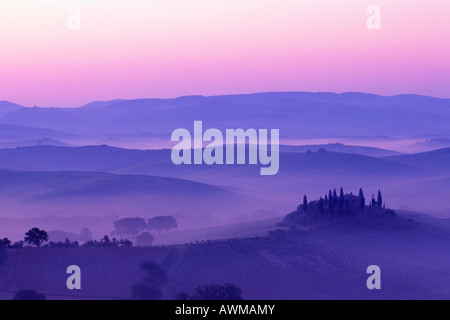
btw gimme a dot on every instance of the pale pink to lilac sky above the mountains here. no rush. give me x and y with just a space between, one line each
168 48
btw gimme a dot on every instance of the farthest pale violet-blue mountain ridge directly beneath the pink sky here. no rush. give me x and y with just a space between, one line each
296 114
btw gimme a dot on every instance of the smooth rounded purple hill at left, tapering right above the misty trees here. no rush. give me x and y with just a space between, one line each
53 195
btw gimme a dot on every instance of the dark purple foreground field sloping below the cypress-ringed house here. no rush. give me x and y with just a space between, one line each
326 262
